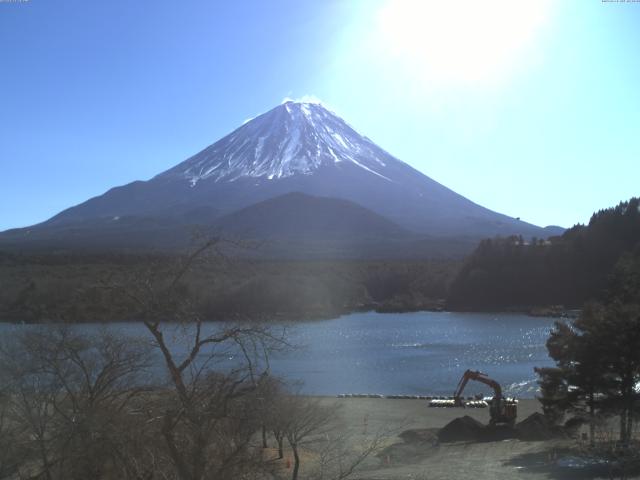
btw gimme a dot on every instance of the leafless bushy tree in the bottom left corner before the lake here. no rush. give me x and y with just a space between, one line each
69 395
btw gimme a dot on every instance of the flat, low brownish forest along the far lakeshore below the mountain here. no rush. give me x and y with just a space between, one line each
79 288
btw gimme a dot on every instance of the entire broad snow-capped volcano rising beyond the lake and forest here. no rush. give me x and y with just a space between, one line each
296 147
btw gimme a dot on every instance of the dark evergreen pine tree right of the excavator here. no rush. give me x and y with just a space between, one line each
598 356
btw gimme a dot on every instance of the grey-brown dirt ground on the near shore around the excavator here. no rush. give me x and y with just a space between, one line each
414 453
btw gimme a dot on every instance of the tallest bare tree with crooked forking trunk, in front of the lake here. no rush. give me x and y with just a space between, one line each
212 409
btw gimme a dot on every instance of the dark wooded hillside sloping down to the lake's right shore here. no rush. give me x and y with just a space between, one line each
567 270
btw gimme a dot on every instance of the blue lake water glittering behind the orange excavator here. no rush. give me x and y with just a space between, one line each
422 353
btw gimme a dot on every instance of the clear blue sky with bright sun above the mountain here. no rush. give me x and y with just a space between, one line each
534 113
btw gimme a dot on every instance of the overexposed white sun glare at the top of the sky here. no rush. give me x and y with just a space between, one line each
461 41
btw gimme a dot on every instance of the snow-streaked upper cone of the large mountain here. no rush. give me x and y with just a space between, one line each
295 138
